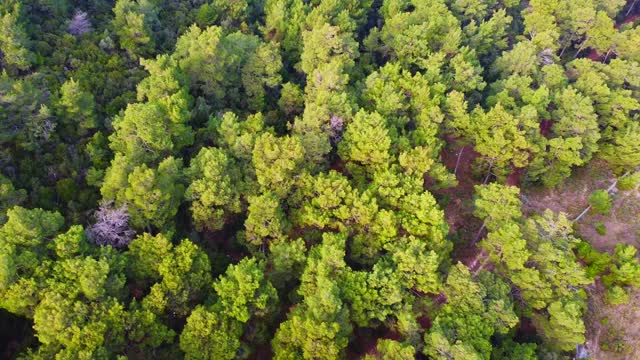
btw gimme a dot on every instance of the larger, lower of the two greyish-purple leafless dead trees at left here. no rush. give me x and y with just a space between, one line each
111 227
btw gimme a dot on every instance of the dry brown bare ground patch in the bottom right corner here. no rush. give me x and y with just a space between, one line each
613 332
